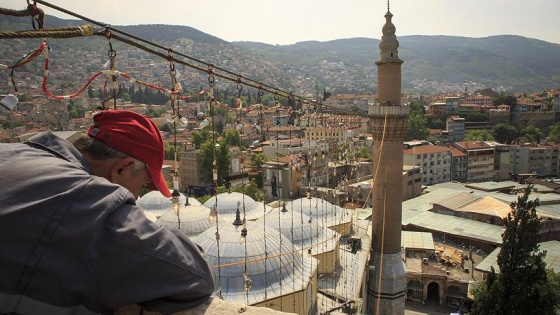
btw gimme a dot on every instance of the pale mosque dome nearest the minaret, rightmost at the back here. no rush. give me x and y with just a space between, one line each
323 211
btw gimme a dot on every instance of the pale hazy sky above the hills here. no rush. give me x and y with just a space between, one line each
289 21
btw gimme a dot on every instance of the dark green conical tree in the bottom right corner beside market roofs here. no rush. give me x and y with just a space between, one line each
523 284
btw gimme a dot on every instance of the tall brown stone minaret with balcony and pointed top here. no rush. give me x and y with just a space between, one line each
387 278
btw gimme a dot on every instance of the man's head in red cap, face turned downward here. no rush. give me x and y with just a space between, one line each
140 142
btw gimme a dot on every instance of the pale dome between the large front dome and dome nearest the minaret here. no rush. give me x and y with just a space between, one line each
304 232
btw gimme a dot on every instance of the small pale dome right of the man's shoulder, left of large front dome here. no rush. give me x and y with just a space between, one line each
192 220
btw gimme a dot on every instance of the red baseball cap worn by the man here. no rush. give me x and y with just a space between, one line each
134 135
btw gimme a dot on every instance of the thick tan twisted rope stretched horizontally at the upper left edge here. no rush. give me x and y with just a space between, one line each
62 32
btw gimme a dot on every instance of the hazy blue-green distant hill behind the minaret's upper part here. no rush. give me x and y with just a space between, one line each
507 61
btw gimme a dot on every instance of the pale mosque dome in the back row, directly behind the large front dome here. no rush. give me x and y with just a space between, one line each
229 202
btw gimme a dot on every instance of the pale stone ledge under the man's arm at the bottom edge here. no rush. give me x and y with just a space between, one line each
210 307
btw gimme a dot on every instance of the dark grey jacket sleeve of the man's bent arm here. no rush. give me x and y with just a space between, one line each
159 268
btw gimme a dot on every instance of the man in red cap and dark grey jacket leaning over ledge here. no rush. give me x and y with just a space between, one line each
72 240
